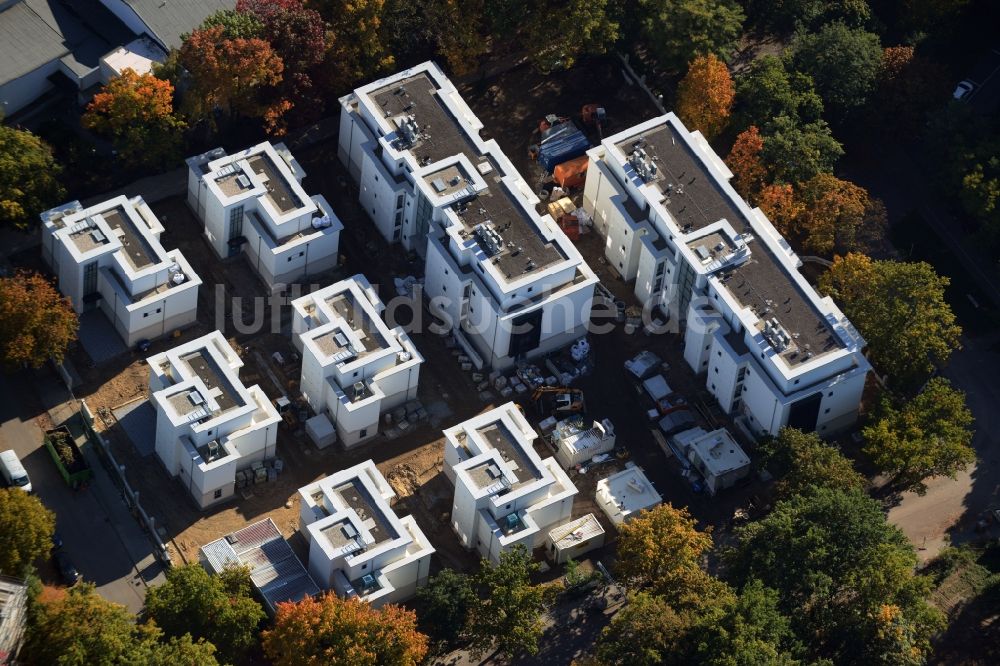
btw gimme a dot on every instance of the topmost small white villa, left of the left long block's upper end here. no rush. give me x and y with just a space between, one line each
253 202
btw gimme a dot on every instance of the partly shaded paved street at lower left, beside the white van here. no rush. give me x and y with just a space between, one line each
103 543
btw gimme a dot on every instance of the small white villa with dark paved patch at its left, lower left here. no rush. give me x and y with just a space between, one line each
208 424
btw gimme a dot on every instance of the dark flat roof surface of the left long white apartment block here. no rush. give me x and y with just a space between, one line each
441 136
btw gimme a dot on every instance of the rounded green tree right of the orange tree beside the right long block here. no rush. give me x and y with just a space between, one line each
795 152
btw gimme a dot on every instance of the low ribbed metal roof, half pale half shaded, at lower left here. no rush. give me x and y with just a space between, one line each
274 569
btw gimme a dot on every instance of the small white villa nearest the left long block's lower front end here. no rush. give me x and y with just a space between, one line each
354 367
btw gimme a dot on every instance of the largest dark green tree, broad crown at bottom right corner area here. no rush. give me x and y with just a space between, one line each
835 562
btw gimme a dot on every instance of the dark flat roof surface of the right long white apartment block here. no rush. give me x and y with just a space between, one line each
696 199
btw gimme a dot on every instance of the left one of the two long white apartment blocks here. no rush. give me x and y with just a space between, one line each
502 275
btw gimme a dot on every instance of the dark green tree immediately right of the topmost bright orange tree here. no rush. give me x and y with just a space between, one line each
767 90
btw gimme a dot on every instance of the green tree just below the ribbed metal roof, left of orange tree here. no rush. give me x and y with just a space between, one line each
218 609
